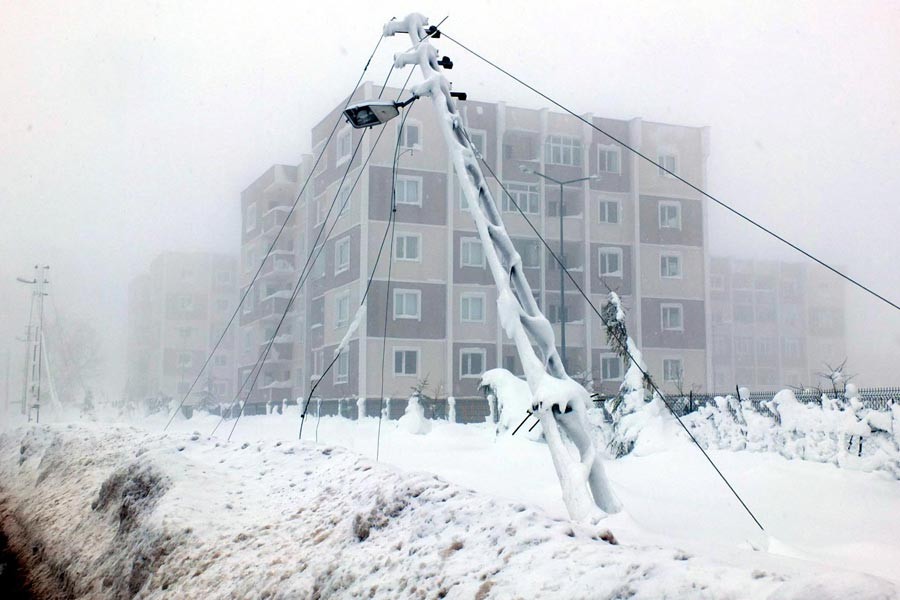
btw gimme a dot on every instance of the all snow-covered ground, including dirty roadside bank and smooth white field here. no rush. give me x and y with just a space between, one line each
266 515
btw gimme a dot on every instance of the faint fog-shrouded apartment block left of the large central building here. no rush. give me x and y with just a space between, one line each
176 312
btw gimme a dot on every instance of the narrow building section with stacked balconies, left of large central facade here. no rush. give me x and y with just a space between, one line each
265 206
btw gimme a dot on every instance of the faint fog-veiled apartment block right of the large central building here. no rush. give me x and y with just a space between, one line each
774 324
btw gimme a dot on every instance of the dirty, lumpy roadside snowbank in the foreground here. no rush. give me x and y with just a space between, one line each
118 512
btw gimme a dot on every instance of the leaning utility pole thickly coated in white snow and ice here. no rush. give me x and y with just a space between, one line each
559 401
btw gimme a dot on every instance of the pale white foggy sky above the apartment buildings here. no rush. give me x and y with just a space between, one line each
127 131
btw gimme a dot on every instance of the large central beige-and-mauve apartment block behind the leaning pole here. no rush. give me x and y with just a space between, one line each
634 229
